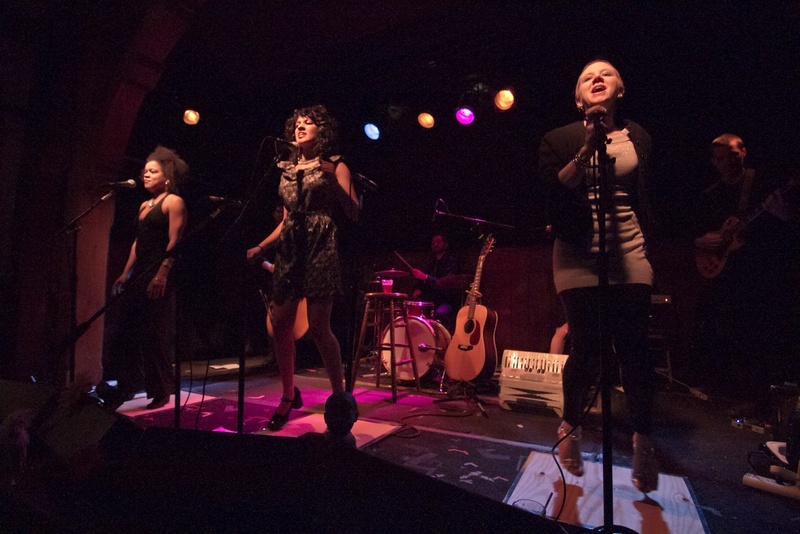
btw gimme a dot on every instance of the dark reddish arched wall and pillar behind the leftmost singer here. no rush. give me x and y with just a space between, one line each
76 108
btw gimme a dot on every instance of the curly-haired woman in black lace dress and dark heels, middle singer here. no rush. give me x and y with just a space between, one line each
313 181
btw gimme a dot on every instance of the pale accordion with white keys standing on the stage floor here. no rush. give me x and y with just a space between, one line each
532 381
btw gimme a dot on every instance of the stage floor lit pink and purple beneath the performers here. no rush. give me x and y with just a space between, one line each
485 449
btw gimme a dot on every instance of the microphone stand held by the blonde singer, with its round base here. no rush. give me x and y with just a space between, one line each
604 205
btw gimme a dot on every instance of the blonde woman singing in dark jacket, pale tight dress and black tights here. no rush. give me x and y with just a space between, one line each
568 159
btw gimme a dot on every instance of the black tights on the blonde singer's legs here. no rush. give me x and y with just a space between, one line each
627 323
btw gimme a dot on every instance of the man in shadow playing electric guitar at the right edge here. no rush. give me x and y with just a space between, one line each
744 326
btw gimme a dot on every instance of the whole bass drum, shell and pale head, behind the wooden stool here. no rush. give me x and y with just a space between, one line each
429 339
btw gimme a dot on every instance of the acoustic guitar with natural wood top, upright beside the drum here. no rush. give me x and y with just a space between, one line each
472 352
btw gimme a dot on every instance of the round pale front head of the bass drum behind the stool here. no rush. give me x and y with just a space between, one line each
421 333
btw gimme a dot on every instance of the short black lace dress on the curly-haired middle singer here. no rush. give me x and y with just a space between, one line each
307 260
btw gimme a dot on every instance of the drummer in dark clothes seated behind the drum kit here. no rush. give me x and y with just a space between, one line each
427 288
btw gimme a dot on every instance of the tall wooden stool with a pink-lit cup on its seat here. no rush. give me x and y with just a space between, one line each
376 308
